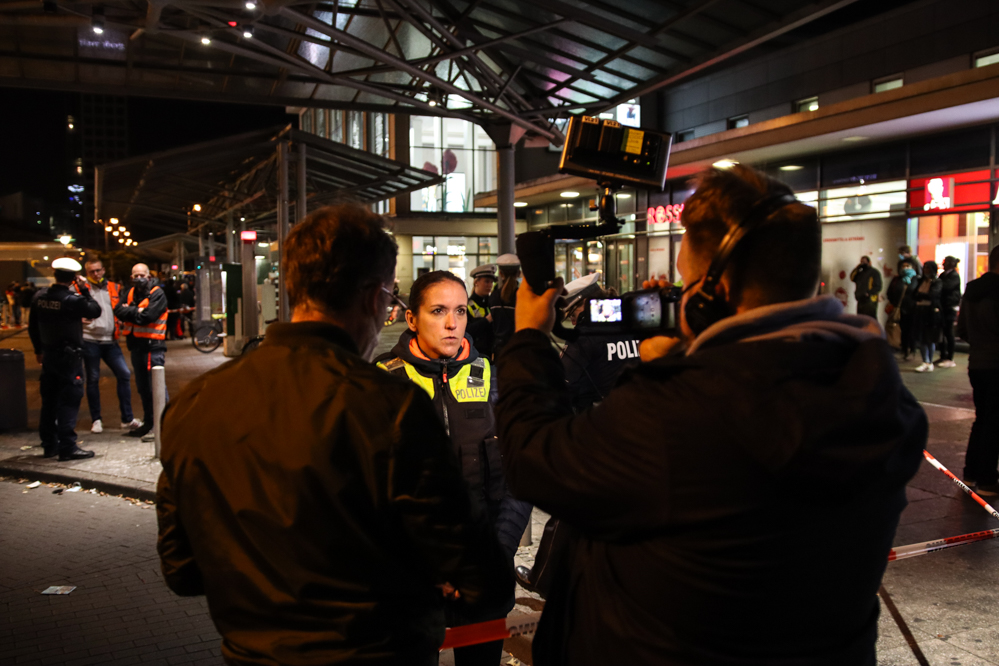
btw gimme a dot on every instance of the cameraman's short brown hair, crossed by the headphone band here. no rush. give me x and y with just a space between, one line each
781 259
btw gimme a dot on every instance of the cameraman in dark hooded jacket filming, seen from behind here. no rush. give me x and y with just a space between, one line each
733 503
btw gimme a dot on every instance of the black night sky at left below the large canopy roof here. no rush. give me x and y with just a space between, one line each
33 134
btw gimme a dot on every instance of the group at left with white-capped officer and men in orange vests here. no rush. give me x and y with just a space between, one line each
75 324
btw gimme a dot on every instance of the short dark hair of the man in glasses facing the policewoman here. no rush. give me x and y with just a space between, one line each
334 254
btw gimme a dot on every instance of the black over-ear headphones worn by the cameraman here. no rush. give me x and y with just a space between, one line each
704 307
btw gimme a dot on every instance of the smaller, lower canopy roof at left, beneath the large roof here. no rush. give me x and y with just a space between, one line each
239 177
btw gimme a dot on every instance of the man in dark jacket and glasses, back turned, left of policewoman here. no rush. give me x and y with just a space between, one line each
325 512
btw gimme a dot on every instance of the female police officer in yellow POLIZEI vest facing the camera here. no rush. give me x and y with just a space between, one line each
436 354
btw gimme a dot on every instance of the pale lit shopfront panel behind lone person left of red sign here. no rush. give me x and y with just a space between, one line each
842 246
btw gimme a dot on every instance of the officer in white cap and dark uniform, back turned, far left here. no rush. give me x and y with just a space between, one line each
56 330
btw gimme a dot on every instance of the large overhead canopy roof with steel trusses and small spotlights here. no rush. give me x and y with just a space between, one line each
522 63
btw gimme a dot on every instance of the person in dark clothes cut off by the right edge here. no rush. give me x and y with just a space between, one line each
978 324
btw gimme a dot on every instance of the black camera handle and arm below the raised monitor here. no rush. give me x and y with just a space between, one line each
536 249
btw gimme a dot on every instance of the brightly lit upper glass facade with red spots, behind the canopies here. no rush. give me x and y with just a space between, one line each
460 151
